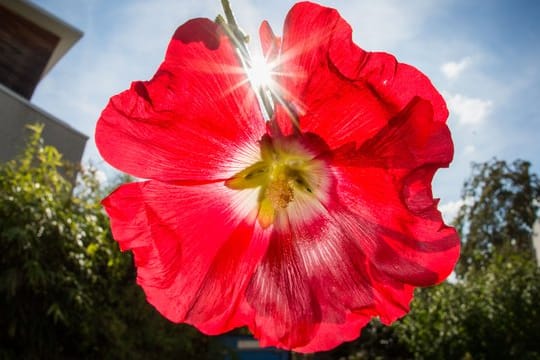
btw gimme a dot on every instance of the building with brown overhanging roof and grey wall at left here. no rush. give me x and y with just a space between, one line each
32 41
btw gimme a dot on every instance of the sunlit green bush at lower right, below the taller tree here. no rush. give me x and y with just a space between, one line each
492 314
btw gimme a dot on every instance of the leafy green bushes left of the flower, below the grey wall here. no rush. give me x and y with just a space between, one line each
66 291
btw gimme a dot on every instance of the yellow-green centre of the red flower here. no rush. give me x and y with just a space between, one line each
286 172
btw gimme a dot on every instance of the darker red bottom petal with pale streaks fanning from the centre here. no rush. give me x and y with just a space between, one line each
312 281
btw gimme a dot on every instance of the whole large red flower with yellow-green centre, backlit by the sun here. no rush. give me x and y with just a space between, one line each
302 234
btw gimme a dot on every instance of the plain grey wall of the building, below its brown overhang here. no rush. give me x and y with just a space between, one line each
16 112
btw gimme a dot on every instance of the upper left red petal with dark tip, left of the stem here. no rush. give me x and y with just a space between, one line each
195 112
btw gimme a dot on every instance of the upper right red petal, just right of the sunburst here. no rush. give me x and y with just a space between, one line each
343 93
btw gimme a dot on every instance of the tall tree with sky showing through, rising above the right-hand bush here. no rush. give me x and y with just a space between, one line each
498 214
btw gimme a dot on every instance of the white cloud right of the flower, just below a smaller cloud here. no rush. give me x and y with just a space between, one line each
469 111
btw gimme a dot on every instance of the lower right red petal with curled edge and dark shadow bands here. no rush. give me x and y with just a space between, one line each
404 234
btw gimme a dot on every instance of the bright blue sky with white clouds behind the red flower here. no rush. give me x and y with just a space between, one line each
483 55
